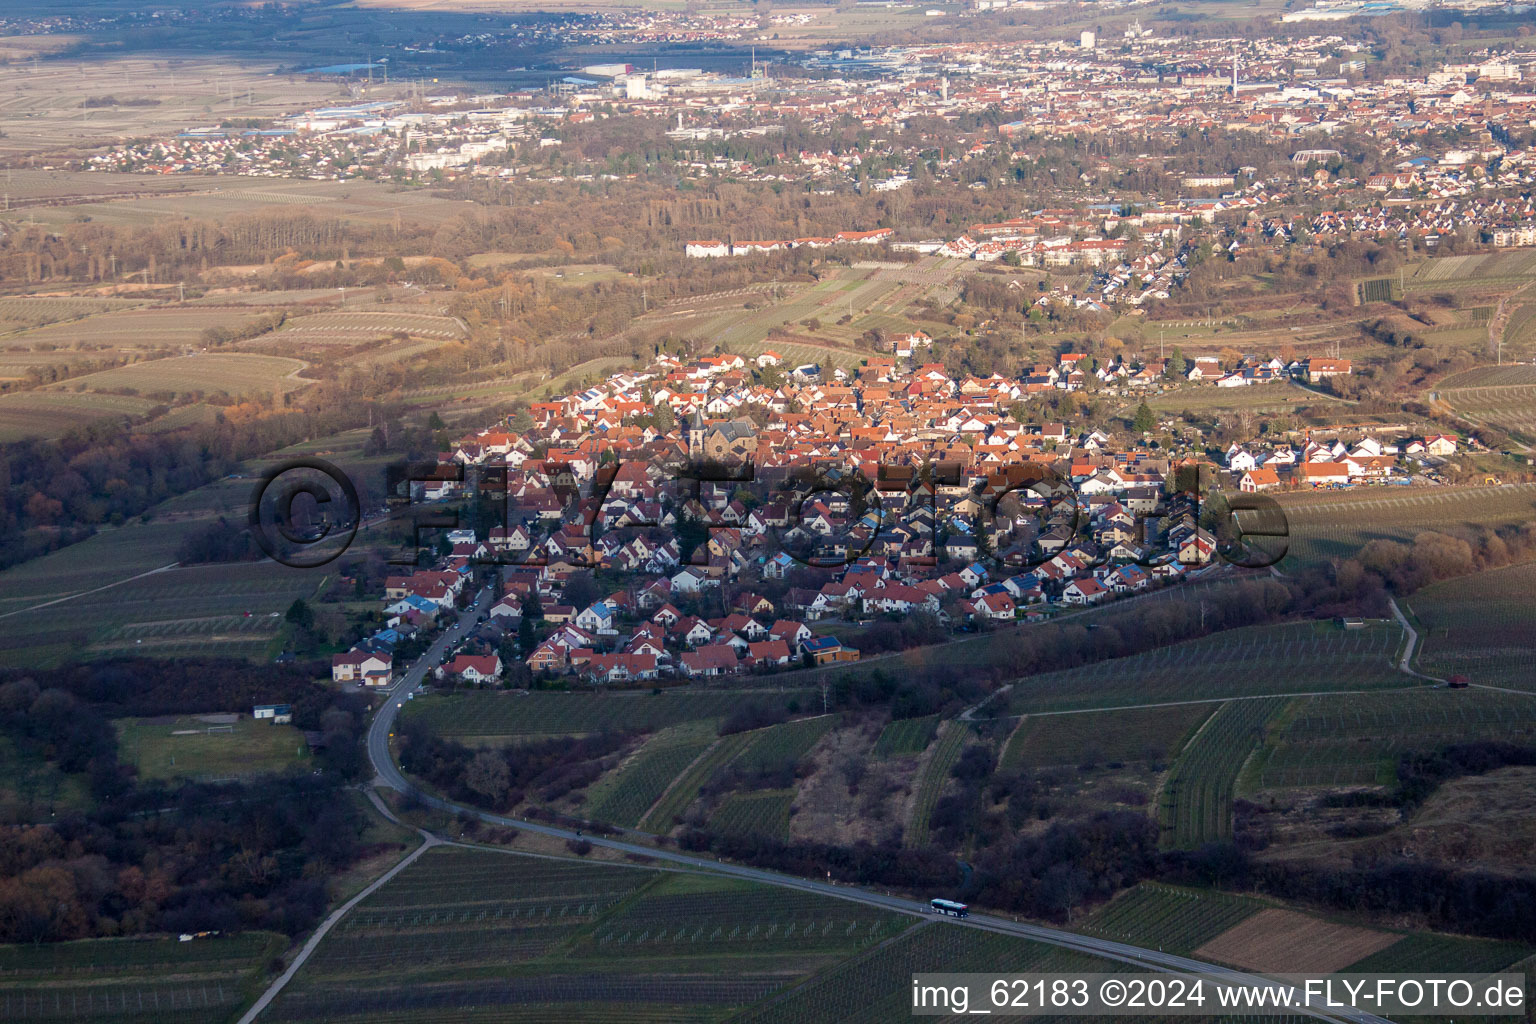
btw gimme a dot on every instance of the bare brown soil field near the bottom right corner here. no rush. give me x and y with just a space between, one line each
1285 940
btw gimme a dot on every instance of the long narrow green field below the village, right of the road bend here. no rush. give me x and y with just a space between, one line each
509 715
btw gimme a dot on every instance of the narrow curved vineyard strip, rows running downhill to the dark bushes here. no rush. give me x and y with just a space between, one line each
1197 798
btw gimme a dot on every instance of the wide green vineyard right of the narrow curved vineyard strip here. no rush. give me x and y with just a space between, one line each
1356 739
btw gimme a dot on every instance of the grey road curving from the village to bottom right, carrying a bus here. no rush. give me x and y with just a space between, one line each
391 776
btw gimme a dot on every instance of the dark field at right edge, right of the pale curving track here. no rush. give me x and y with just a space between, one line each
1481 627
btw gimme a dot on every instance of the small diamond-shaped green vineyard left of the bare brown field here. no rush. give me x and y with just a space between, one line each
1170 919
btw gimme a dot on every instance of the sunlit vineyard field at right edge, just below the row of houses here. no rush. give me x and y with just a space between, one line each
1339 524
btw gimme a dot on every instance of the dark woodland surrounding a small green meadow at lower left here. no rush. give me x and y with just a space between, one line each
167 857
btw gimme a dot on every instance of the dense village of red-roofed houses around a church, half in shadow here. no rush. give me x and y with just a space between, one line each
690 521
